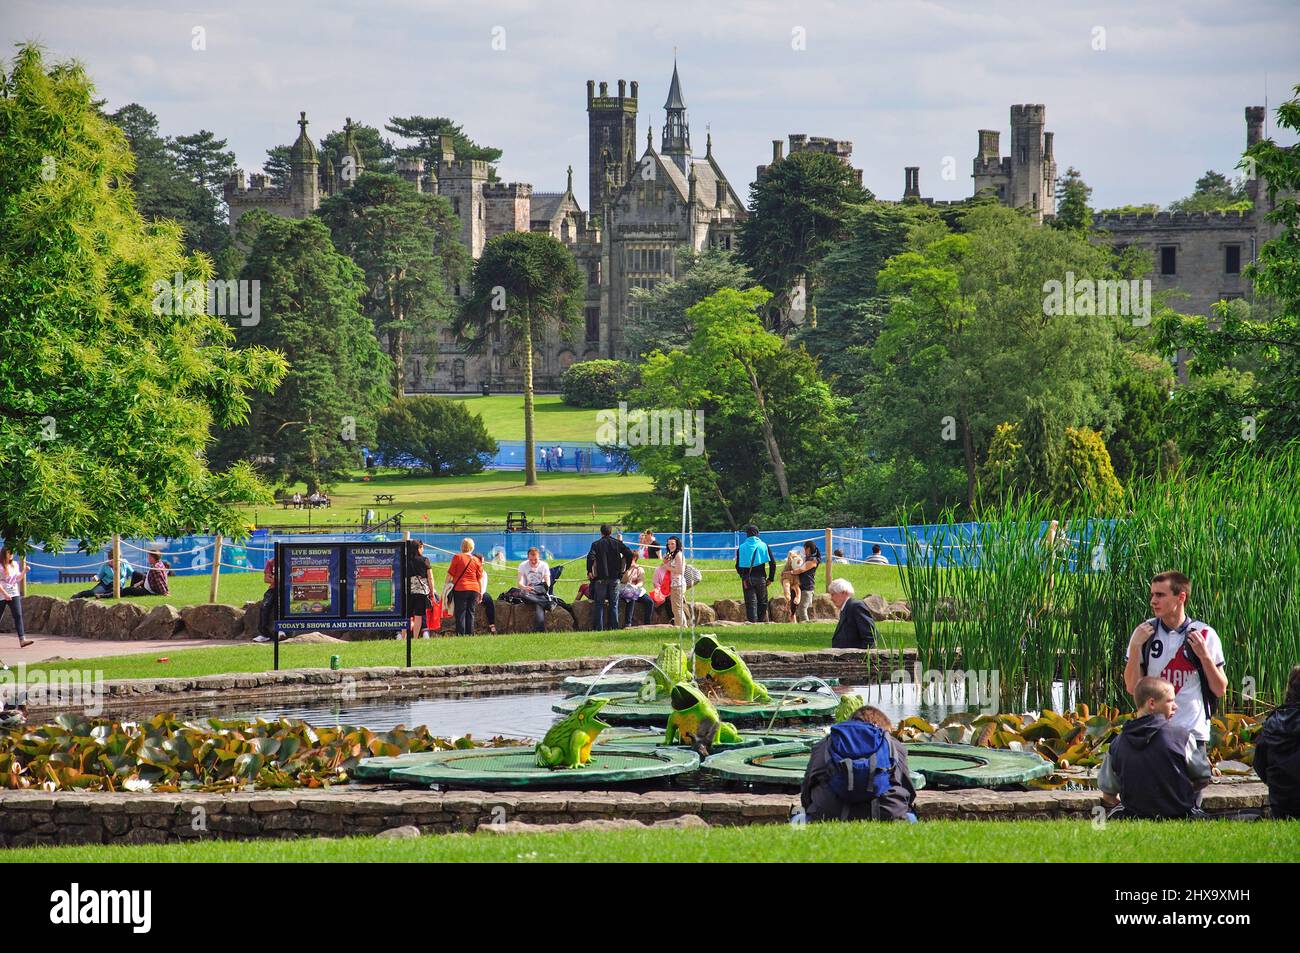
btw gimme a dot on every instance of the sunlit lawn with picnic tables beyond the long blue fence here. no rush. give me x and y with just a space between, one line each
484 497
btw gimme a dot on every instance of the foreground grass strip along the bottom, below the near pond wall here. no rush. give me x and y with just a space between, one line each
942 841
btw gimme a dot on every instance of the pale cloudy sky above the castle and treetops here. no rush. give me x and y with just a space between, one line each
1143 98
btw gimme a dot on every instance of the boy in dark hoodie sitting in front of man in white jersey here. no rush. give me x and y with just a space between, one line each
1149 770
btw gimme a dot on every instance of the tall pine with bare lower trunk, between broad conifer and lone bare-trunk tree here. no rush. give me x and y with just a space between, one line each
406 242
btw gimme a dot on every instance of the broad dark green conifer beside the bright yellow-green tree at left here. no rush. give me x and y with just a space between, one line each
313 428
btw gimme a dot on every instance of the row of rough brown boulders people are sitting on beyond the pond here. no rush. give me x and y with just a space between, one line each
131 622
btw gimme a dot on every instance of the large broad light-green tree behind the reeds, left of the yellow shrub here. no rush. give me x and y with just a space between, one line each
973 337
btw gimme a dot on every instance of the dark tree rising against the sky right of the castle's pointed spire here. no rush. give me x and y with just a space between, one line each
798 210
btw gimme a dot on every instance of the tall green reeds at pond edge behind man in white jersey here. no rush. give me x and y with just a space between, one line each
1043 613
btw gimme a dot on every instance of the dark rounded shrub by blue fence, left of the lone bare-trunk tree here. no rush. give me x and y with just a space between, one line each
436 435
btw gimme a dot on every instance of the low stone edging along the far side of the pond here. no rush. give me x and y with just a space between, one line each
852 666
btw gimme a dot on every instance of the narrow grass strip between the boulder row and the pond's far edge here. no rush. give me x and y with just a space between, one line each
526 647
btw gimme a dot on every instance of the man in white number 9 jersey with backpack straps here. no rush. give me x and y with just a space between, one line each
1182 651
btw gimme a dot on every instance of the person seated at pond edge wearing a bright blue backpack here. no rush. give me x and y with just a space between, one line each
859 773
